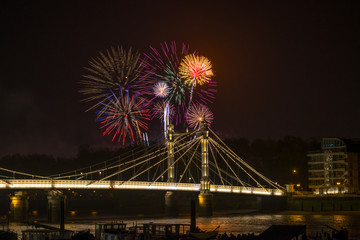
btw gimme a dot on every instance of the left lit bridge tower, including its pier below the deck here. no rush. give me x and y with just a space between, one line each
171 207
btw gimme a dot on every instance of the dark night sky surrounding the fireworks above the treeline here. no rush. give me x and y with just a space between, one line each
282 67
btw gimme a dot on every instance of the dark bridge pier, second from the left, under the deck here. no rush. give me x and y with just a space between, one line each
54 205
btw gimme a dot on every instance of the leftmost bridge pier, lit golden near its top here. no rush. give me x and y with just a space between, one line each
19 207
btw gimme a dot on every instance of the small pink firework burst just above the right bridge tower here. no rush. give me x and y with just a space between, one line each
197 114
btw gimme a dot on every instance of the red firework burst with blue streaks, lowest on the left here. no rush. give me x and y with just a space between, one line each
123 116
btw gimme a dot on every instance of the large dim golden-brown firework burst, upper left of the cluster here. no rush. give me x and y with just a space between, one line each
115 69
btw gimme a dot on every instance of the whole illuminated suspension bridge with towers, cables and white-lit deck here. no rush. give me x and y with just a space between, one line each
196 161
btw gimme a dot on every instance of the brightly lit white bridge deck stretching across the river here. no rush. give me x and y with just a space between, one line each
91 184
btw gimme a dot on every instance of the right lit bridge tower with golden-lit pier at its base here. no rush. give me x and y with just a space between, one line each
205 197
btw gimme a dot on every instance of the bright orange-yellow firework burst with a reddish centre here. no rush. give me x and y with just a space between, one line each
196 69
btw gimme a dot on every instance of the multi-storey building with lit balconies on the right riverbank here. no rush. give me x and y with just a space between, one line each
335 168
